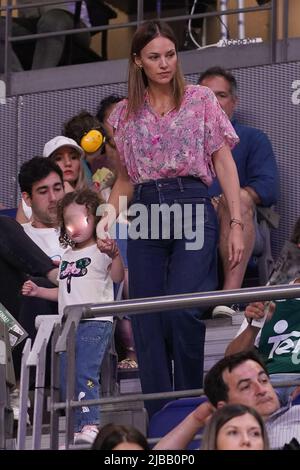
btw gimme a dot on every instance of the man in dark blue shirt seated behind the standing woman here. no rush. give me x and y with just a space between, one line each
257 169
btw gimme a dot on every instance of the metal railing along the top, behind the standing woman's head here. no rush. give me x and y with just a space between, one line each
140 15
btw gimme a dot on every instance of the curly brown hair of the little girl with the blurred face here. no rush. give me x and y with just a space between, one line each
84 197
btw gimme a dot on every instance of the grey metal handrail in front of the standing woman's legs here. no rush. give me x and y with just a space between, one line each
74 313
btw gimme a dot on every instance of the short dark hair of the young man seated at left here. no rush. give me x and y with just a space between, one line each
35 170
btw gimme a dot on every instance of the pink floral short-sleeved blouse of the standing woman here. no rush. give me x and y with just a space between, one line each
180 143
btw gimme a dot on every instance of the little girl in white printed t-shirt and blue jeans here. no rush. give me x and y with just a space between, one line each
85 275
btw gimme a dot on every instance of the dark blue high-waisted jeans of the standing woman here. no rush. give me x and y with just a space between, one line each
162 265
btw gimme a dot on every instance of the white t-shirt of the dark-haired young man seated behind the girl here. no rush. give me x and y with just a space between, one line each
47 239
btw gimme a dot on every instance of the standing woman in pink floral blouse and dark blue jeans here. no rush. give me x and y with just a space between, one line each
172 139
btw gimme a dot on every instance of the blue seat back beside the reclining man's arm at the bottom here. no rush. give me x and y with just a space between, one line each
171 415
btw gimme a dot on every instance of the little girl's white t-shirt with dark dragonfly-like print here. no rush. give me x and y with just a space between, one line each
84 278
